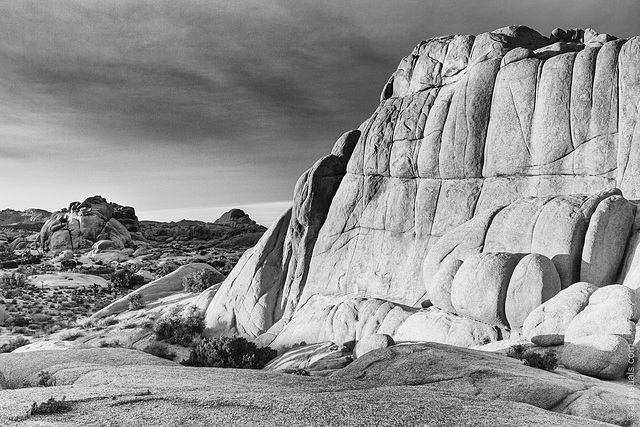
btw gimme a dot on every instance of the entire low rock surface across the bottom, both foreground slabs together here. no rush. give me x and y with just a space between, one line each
167 394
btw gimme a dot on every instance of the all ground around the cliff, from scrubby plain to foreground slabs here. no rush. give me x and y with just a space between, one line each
71 332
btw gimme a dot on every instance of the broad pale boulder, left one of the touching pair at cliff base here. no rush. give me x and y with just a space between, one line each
479 289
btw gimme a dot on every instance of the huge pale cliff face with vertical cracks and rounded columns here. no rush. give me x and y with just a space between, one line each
498 170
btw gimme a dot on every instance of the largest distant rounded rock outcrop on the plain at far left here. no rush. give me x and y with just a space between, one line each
83 224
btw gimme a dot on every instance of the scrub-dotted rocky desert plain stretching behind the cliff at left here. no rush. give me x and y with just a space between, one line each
45 292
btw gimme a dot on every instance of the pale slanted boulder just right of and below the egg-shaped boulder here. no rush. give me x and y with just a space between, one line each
547 323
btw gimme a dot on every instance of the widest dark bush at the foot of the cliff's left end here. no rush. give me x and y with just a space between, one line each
229 352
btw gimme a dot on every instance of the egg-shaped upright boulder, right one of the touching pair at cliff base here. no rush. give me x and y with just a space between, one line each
534 281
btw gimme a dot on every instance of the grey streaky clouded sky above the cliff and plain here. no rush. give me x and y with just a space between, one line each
186 108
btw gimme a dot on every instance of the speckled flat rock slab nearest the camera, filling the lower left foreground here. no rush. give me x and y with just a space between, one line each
141 394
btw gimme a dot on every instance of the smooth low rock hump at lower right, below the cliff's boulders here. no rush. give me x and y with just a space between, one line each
489 376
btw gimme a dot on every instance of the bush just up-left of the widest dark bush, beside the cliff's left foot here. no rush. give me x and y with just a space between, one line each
179 328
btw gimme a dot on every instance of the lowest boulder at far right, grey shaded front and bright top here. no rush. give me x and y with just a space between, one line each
601 356
